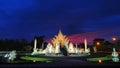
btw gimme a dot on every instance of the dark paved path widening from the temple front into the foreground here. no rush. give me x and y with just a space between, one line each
62 62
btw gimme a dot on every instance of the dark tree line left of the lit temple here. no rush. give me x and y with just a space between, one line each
19 45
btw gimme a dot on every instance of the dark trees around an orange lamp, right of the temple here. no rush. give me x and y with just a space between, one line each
104 45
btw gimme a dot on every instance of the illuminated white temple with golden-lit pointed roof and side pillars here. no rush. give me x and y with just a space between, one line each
61 42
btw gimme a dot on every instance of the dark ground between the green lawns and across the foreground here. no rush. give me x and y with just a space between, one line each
65 62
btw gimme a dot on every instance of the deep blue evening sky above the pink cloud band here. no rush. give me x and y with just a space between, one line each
27 18
